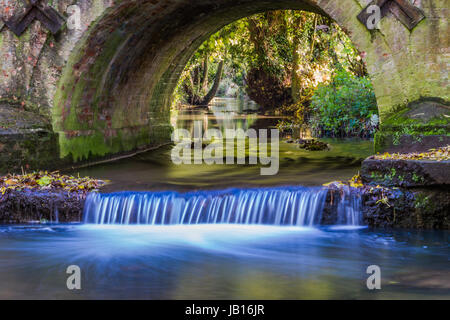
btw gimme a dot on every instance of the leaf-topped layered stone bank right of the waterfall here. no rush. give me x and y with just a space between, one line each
409 189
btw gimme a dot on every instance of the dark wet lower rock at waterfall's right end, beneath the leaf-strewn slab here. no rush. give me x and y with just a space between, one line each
427 207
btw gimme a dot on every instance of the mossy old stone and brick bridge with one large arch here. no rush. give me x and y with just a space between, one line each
105 89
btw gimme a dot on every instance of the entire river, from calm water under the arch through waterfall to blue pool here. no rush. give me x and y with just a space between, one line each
186 238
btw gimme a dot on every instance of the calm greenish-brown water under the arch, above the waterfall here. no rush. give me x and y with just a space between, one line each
155 171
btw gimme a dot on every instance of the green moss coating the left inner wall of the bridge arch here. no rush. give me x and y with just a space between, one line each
72 92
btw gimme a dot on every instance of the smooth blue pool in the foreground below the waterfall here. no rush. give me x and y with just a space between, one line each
220 262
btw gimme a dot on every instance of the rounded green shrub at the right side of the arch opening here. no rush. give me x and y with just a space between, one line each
345 107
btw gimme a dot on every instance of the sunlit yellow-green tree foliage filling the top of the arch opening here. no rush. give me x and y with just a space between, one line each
298 48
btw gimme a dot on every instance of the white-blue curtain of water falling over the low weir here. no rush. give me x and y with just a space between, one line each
291 206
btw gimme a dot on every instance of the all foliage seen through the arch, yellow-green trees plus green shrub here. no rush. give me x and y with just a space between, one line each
285 59
